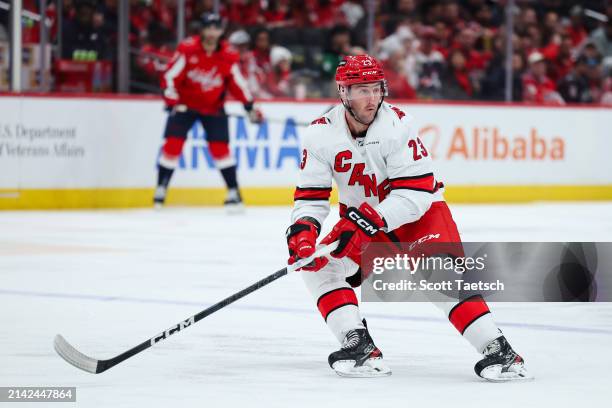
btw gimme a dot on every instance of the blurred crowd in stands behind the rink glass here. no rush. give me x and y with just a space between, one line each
434 49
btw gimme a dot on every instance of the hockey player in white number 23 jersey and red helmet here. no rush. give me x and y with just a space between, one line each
388 192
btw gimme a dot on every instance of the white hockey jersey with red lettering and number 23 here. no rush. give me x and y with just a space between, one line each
389 168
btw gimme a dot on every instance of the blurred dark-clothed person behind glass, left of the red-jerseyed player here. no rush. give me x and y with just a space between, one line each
80 34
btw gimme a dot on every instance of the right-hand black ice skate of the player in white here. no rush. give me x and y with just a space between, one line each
501 363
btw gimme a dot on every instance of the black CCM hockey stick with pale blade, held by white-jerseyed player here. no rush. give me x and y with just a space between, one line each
94 366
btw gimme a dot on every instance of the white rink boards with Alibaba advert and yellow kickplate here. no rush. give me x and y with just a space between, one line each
81 152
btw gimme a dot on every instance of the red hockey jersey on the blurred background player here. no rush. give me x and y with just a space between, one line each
201 81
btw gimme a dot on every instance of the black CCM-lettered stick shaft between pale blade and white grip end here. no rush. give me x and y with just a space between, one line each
104 365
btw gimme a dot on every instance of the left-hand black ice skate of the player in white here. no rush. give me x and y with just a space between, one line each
358 357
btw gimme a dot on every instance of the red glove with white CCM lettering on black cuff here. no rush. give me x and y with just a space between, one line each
354 231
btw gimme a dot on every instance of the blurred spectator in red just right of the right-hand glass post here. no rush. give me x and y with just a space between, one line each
537 86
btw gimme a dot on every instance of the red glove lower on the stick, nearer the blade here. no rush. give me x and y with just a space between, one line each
302 240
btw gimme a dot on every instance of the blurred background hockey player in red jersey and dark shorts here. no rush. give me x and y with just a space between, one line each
195 83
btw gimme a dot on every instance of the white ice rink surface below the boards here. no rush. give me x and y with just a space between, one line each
108 280
